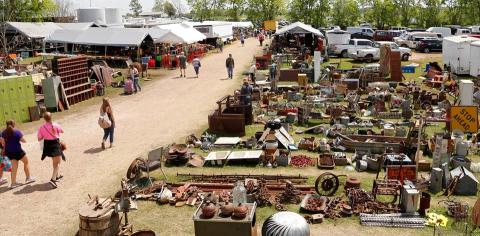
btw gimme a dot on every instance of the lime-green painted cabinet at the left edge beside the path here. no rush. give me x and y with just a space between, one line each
16 96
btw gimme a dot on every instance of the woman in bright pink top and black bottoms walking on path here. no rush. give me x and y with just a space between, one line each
49 133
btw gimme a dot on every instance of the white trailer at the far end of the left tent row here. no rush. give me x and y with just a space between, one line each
211 30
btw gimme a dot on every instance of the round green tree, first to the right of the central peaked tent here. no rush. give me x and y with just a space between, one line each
344 13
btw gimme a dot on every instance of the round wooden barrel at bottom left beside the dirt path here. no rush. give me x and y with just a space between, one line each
101 222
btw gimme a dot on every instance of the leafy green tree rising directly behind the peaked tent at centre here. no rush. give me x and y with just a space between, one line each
314 12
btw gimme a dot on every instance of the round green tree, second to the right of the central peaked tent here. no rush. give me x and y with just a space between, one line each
382 13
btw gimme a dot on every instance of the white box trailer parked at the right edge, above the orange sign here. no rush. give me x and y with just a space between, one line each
456 53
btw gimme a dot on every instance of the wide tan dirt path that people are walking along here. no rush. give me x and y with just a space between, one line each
164 111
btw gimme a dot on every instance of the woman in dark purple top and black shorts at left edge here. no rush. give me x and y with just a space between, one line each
11 139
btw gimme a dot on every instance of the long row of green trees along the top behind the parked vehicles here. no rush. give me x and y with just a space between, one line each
380 13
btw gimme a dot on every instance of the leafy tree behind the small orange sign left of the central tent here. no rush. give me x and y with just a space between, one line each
261 10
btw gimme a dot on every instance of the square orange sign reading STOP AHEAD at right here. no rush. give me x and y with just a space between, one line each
464 118
